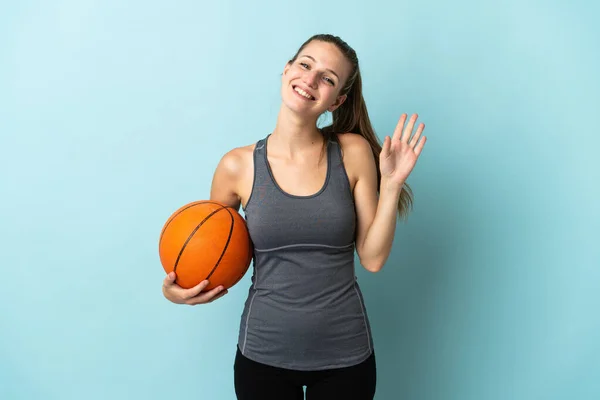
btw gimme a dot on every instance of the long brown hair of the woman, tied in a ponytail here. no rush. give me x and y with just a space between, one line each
352 115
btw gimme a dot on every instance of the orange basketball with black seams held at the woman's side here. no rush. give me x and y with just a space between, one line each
206 240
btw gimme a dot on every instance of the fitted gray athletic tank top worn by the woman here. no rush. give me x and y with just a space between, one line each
304 310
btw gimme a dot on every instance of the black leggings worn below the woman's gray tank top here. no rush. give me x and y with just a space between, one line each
256 381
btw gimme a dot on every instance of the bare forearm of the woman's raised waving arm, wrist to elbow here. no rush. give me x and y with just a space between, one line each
379 238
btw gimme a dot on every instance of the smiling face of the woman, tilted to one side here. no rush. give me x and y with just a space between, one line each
312 83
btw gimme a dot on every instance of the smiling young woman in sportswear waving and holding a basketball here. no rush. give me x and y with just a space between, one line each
312 196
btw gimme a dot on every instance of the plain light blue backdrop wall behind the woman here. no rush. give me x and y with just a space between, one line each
114 114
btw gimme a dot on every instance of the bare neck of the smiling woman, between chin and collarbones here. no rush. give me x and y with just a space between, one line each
294 134
